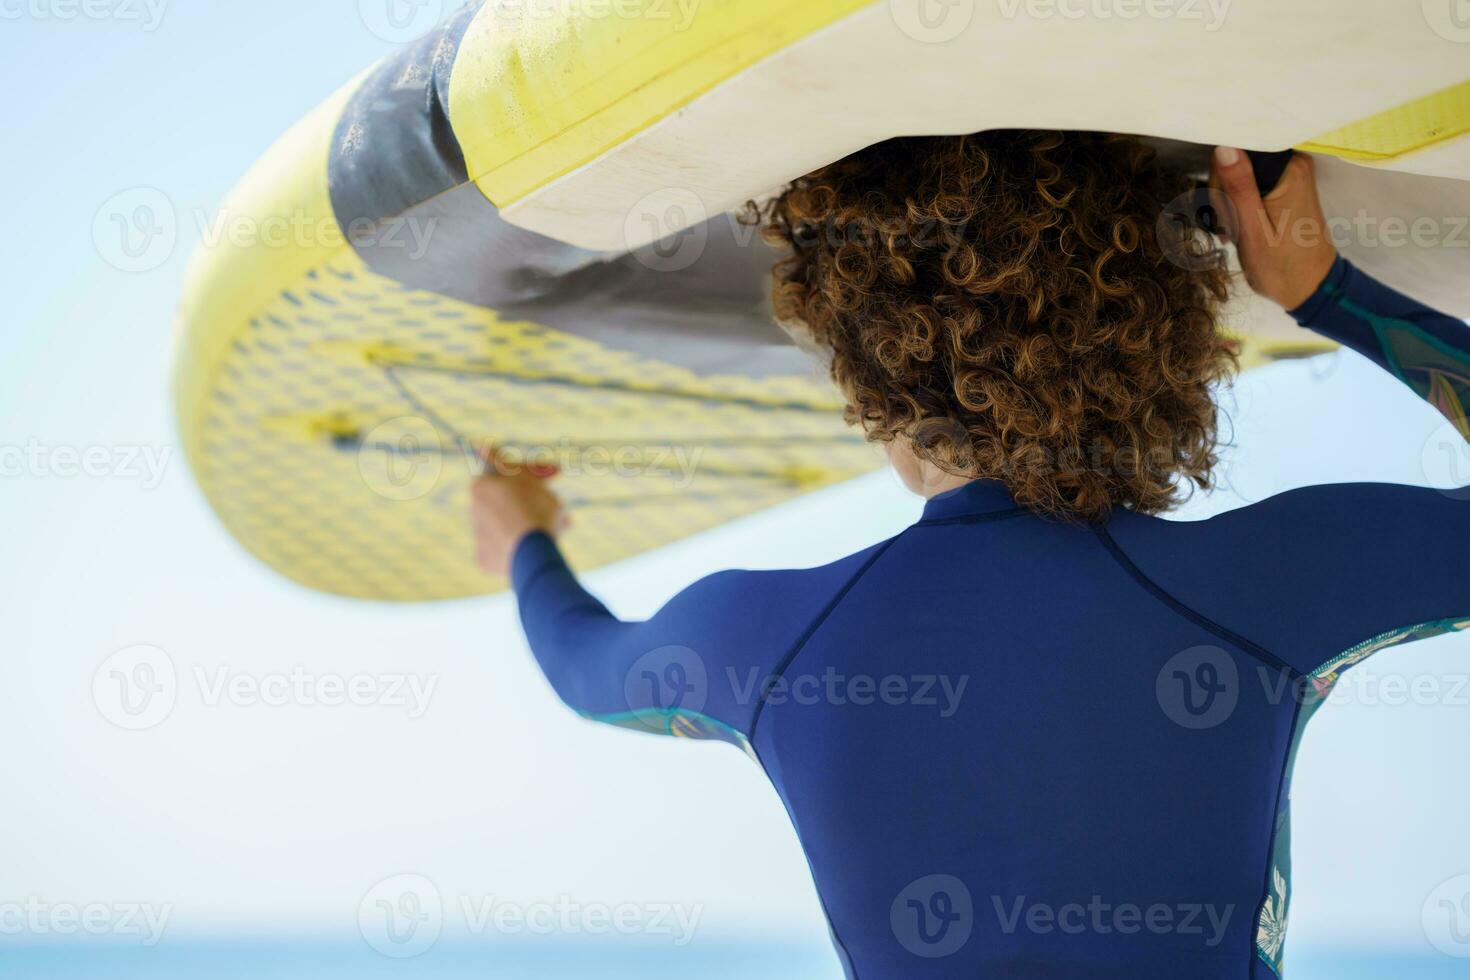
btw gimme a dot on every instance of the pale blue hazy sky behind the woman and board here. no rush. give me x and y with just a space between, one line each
248 818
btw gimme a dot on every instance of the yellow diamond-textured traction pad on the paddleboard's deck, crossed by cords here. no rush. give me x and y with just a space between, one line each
323 468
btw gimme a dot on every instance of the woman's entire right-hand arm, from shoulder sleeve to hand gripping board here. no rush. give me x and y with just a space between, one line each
1325 577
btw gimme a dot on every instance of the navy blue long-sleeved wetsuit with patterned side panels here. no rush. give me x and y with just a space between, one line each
1019 749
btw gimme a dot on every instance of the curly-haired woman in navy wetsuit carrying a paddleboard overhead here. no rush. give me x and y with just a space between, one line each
1043 732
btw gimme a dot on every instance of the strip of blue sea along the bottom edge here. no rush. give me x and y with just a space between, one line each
323 962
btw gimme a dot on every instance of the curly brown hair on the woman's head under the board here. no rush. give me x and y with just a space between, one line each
1009 305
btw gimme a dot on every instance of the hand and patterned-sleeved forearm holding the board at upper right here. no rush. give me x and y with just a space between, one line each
1288 256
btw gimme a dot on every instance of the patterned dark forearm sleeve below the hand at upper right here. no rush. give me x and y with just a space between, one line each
1427 350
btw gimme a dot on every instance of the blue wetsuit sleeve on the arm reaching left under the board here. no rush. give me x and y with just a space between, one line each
698 668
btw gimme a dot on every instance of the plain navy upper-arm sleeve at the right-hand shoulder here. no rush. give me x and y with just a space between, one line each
1324 577
